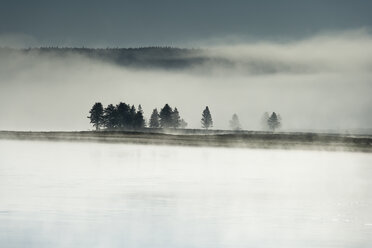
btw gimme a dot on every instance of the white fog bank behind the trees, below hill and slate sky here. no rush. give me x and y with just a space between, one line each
324 82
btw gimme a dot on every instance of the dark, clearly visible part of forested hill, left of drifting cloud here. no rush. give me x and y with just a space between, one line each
158 57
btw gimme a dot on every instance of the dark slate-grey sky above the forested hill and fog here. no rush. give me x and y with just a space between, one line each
173 22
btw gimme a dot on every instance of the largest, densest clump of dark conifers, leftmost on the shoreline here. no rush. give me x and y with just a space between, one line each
121 116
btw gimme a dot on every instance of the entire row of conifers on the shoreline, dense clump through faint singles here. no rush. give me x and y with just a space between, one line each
124 116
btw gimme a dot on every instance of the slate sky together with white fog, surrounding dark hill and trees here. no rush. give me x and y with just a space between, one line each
309 61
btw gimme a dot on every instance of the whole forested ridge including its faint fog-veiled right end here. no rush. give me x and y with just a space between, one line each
203 60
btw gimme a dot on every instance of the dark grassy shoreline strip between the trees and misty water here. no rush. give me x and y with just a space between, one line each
244 139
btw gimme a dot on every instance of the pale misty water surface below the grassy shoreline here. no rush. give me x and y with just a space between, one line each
112 195
